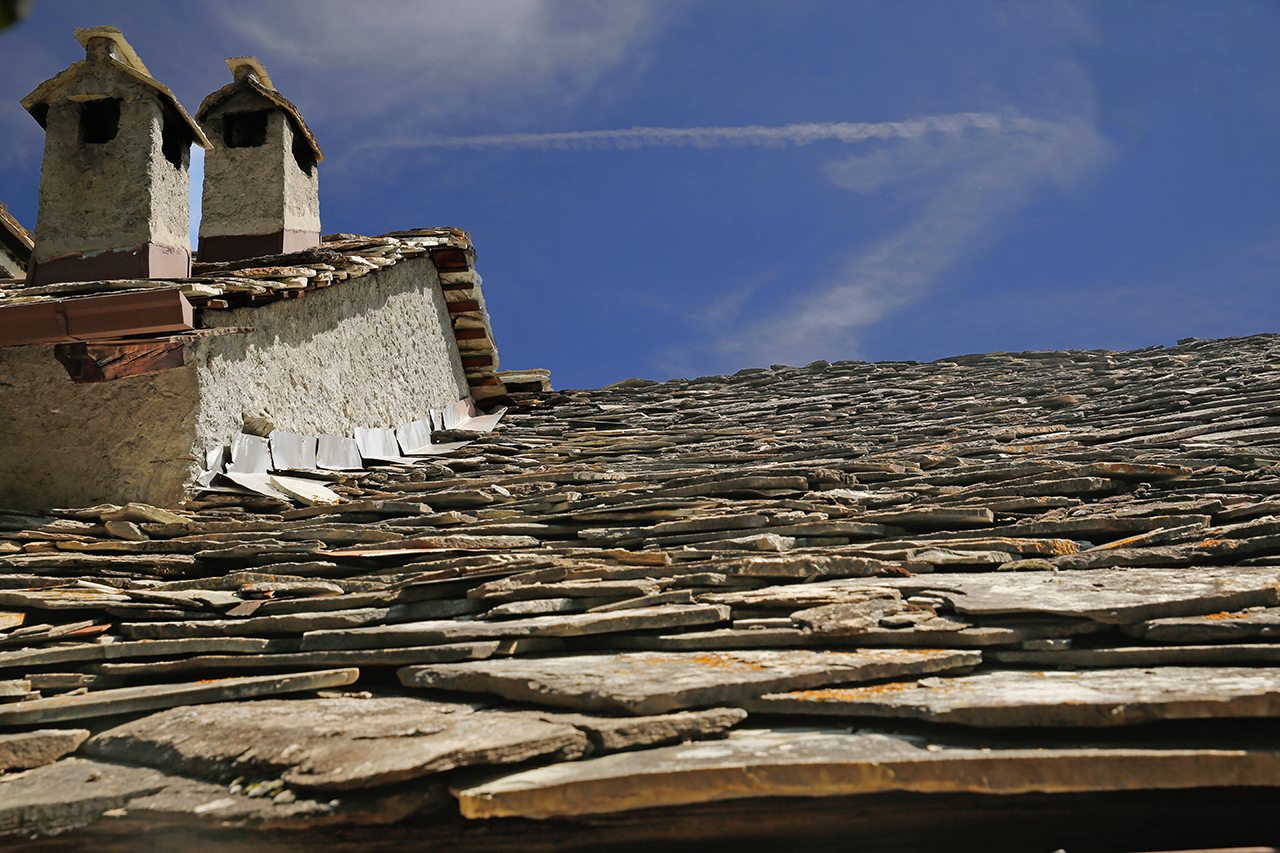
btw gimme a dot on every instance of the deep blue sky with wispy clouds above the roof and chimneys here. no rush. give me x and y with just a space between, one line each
689 188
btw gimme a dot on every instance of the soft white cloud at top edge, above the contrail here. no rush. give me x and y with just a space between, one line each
413 63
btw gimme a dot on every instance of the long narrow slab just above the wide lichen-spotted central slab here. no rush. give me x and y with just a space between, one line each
572 626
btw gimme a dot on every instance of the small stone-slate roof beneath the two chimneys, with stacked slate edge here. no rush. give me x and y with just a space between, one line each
340 258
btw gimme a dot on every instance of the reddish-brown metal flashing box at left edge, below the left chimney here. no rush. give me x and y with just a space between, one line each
97 317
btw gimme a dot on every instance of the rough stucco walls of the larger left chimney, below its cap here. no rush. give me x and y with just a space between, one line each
117 194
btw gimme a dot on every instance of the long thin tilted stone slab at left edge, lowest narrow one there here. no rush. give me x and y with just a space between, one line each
167 696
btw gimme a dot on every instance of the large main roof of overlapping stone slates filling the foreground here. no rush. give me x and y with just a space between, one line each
1040 574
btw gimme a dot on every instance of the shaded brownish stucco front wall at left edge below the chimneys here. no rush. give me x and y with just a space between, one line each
68 445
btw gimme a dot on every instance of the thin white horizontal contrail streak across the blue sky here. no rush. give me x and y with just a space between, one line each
711 138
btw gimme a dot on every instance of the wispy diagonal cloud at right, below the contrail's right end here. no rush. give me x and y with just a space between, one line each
963 189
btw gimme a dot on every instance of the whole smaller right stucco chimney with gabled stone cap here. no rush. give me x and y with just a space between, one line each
262 193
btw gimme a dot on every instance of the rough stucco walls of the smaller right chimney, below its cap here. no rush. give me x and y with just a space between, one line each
259 190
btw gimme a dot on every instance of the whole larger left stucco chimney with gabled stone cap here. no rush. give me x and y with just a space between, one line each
116 176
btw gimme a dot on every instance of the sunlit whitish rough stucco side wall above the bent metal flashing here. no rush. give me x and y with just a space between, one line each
376 352
